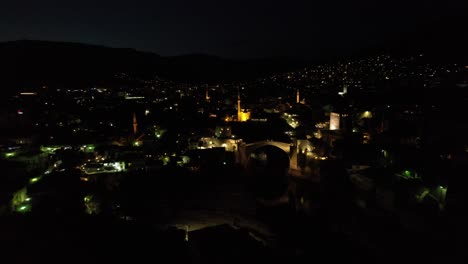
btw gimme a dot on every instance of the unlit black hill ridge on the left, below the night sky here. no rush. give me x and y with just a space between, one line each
31 63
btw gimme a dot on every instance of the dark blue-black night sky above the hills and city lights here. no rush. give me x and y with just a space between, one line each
236 29
